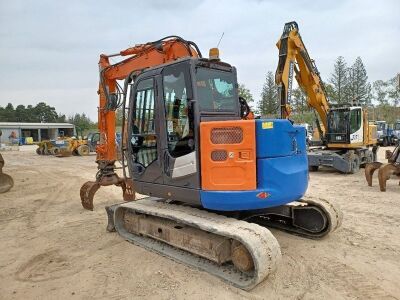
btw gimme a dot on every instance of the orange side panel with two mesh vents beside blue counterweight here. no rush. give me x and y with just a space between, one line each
228 155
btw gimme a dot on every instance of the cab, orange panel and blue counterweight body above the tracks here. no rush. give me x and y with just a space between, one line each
190 141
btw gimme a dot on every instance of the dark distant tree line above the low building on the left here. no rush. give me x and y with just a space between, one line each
43 113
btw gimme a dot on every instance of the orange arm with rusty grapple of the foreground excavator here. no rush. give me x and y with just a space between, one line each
112 96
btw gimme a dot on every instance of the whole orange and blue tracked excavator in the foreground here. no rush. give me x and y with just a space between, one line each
215 177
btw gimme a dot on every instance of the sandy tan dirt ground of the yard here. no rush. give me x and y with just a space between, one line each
50 247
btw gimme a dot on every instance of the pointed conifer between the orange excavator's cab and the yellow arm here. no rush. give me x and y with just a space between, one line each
269 97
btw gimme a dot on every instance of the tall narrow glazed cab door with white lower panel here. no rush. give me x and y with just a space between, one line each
179 157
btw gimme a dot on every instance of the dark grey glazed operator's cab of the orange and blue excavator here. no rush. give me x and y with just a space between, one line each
167 105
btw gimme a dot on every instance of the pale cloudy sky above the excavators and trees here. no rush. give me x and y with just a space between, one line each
49 50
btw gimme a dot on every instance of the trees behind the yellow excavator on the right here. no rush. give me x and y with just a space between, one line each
347 84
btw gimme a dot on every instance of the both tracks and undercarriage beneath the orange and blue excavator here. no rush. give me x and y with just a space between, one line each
238 248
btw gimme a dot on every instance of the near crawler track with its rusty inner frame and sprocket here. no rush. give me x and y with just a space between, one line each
241 253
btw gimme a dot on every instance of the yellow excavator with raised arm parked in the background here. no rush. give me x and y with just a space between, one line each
348 139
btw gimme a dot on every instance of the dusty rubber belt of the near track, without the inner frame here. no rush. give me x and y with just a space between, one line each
258 240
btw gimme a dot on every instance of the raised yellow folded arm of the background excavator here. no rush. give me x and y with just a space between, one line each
295 60
